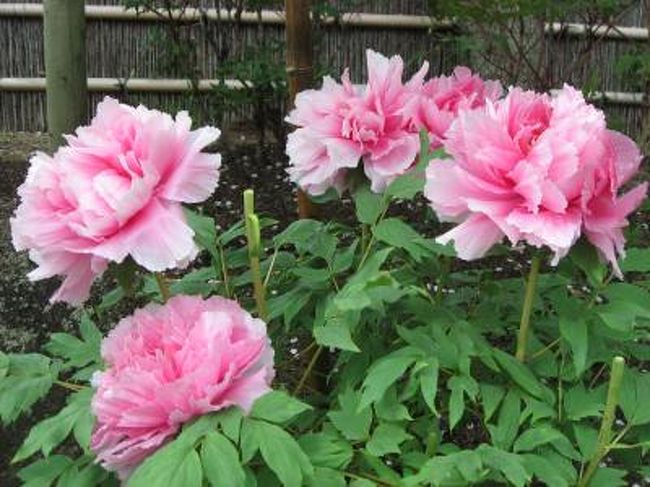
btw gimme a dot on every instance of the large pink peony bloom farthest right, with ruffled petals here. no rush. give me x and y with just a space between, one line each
536 169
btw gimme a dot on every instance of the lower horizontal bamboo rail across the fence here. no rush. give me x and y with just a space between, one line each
112 85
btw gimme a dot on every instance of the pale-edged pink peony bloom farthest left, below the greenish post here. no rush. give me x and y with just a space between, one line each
114 191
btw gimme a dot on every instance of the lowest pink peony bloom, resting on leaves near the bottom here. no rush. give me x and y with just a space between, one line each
168 364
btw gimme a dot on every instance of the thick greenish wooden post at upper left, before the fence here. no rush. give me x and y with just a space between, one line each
65 65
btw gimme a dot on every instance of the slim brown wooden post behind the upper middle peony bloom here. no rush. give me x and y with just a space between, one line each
299 67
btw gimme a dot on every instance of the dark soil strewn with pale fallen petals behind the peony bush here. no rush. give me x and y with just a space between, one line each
26 319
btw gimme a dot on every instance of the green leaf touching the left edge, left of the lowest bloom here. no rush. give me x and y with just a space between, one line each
28 379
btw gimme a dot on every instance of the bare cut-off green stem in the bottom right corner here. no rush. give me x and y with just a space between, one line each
605 435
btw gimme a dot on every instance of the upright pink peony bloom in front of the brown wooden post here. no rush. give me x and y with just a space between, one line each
341 124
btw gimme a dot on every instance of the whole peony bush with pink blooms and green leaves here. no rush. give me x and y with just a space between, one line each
343 354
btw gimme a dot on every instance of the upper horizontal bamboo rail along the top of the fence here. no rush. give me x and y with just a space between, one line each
274 17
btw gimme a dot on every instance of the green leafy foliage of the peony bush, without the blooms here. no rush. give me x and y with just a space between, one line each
416 382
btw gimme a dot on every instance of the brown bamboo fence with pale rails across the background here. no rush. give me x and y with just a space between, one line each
124 60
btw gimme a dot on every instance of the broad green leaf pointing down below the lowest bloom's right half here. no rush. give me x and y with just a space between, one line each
220 461
